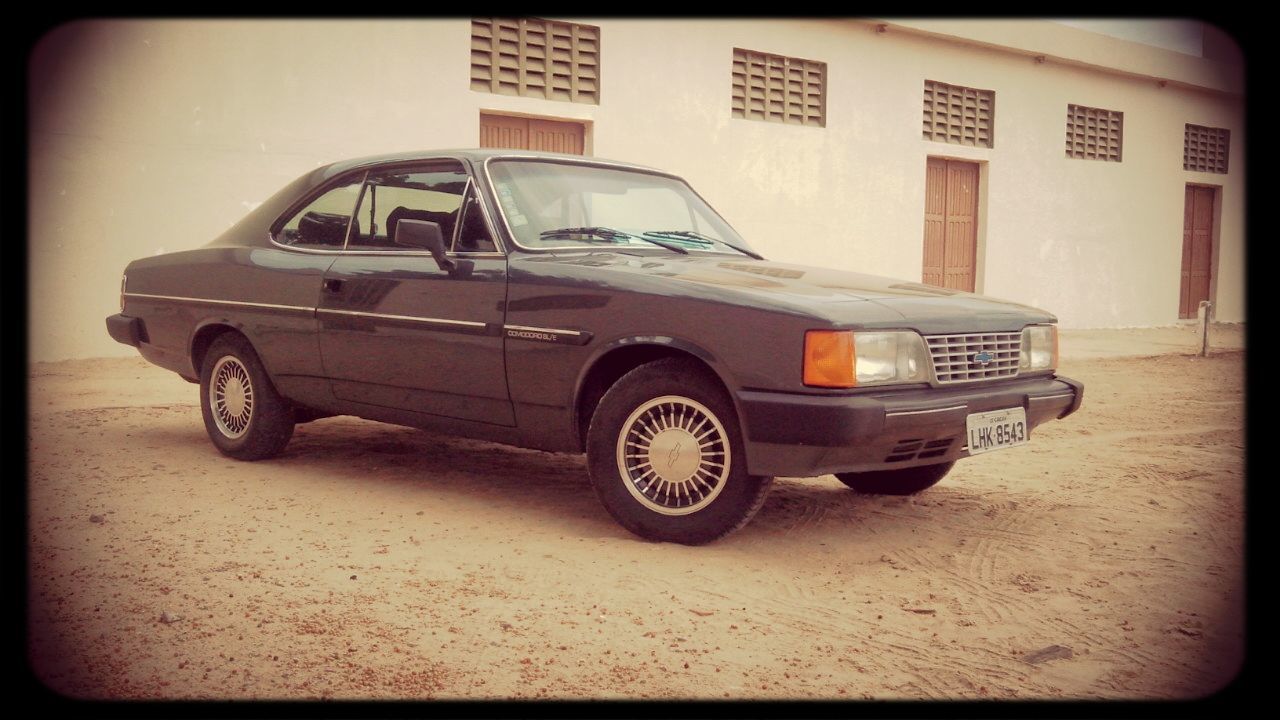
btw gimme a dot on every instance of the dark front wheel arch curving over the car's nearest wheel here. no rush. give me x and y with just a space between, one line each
623 356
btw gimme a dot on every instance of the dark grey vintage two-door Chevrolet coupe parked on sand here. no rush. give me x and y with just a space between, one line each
572 304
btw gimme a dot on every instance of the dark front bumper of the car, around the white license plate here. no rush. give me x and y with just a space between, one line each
808 435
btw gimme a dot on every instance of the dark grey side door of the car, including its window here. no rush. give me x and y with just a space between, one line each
397 331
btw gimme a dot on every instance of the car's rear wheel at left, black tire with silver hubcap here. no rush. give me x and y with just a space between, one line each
253 422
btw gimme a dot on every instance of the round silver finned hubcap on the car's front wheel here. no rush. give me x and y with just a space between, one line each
674 455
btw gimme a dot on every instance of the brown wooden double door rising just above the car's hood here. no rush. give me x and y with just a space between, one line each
952 225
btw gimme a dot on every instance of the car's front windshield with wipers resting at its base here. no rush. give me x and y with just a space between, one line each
565 206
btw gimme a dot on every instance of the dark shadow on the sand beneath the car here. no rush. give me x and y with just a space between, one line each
557 486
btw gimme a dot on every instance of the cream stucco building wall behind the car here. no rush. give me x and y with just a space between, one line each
156 136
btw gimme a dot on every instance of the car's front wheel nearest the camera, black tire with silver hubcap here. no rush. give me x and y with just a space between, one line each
716 498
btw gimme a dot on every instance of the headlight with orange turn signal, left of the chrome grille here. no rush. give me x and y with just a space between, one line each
849 359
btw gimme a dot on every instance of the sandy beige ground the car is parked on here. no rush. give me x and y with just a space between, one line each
374 562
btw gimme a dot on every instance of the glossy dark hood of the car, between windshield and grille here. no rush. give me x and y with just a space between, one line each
838 297
